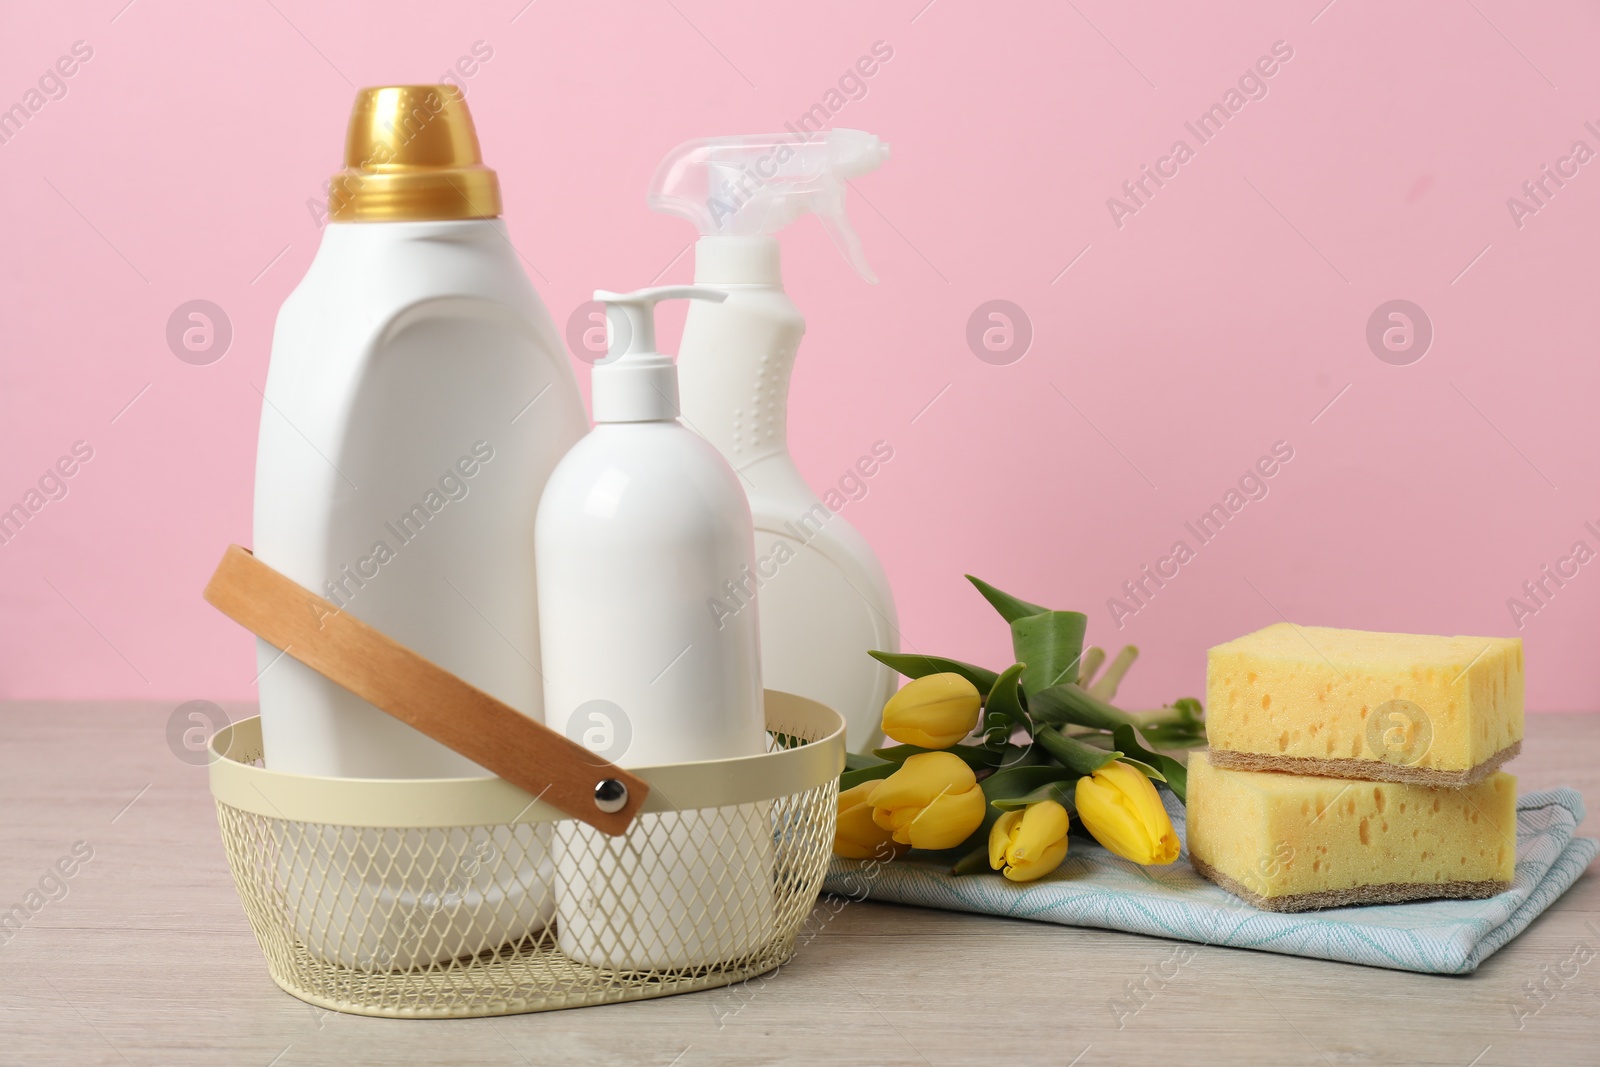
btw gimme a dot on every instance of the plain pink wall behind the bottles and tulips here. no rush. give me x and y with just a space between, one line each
1222 318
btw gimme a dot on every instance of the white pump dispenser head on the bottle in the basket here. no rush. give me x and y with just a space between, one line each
636 383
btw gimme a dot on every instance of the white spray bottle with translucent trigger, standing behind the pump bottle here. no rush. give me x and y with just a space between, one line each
825 599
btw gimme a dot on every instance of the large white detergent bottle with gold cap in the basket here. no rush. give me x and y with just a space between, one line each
417 402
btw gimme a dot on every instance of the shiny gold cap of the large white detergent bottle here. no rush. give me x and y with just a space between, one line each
412 154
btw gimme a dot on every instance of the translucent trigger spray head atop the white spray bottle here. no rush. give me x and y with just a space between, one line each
756 185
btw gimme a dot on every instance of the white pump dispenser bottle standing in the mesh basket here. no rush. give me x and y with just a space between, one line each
639 529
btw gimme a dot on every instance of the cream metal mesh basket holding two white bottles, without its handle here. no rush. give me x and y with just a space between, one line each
452 898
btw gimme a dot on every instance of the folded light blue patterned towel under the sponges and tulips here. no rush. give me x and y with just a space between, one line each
1097 889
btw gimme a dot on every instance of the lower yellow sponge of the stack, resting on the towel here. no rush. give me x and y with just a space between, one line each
1294 842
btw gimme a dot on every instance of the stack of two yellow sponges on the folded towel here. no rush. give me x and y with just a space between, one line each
1358 769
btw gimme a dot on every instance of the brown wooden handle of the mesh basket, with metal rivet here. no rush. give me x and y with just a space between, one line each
423 695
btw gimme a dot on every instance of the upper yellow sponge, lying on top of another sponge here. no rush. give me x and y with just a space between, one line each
1401 708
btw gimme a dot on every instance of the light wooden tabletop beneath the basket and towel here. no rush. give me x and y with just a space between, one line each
146 961
